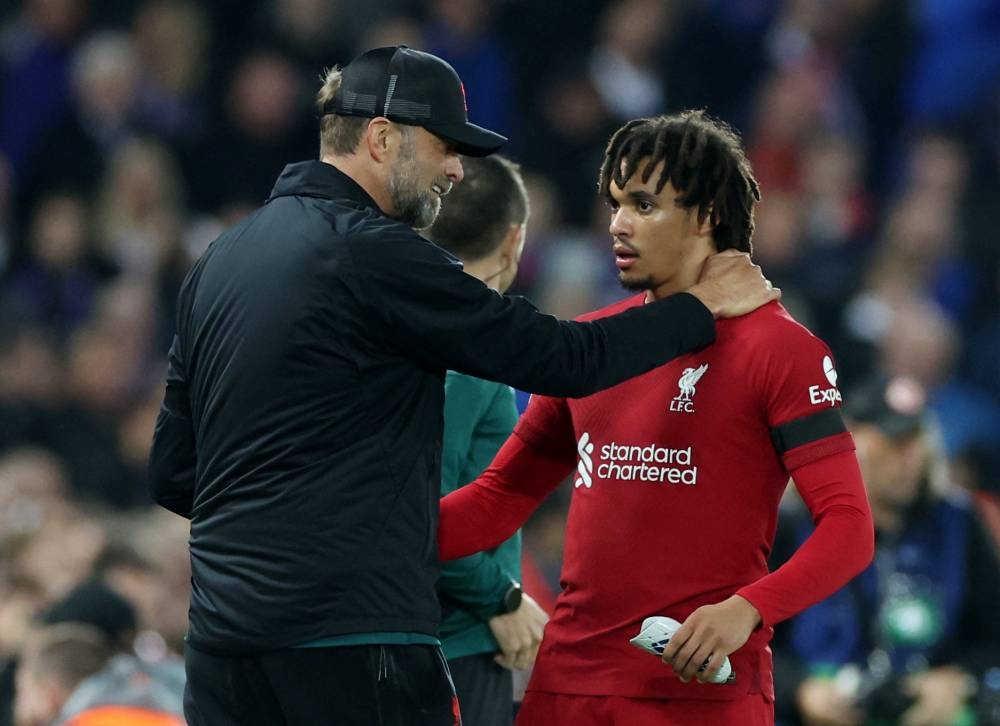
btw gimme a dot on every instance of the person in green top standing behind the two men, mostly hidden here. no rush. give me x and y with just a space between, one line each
489 625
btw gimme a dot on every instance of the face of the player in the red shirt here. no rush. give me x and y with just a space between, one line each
658 246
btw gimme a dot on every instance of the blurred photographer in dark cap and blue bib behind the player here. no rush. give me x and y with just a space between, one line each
909 639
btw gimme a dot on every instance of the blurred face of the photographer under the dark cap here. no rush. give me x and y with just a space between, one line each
894 467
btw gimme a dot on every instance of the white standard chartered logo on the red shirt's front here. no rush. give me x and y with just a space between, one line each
622 462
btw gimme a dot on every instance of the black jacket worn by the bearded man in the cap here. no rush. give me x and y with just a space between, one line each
301 426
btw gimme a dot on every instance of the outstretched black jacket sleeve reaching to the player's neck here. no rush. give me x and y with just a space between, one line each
447 319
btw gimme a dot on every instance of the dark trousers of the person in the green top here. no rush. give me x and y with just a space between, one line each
485 690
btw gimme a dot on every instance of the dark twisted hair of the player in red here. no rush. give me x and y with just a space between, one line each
703 159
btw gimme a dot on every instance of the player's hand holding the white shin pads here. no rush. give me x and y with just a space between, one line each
710 634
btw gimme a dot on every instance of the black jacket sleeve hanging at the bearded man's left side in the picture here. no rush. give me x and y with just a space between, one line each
172 459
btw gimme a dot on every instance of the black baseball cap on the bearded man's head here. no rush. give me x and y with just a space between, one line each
415 88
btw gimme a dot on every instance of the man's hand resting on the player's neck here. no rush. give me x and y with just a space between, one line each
732 285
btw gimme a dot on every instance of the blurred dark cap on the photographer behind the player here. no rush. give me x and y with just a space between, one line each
898 406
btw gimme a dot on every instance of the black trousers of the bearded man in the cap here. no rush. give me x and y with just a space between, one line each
363 685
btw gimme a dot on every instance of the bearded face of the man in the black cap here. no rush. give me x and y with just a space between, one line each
424 171
